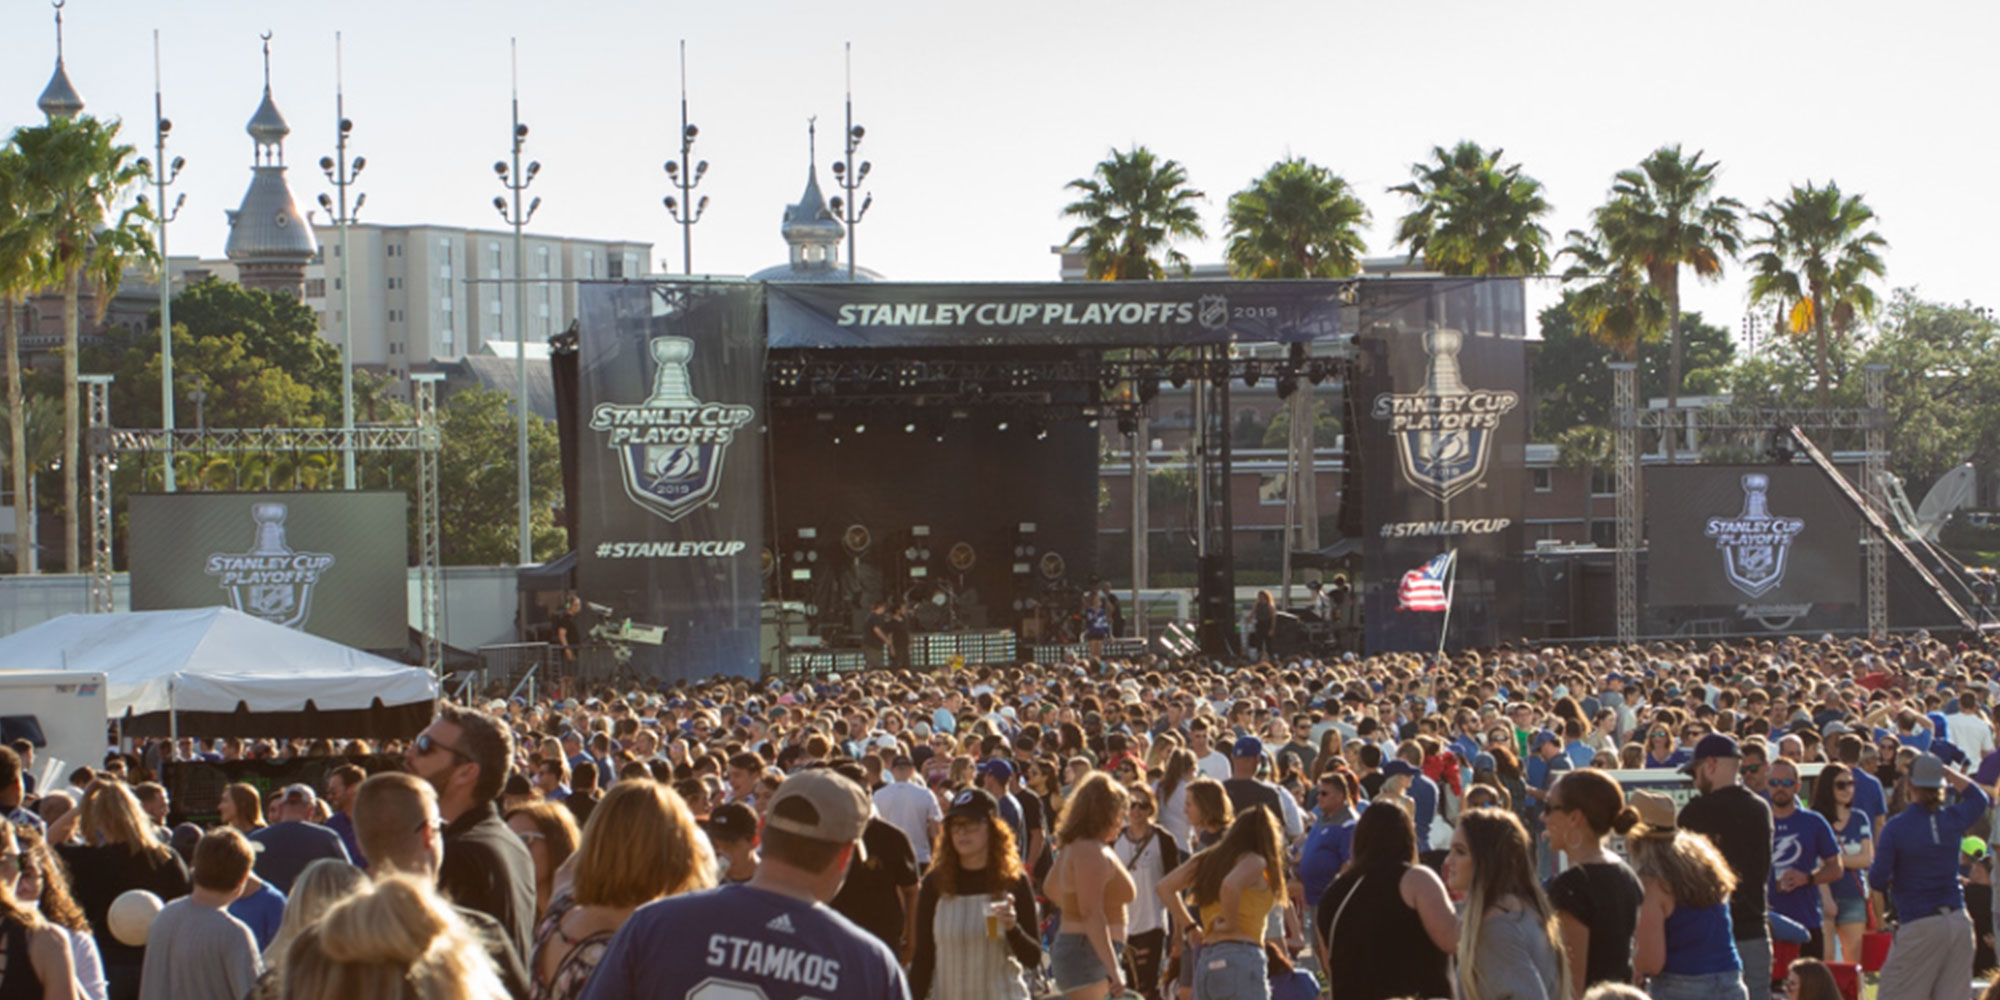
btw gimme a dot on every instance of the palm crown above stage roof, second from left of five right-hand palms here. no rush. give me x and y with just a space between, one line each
1297 221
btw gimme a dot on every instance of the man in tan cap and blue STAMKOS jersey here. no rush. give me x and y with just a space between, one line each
773 937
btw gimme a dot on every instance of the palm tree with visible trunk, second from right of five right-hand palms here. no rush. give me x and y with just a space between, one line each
1661 217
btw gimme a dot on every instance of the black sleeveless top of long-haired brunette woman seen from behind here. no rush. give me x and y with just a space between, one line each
1377 947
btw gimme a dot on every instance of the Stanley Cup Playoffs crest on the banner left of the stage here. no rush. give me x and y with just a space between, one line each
671 449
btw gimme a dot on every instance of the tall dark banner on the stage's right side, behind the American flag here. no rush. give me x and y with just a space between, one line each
1441 381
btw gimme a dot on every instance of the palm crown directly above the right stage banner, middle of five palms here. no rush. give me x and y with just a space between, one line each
1473 215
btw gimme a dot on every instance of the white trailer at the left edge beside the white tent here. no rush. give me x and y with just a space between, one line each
63 715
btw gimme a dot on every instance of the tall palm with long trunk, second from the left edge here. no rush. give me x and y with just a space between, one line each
85 175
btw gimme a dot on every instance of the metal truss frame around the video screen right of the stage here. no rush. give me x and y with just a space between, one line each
1631 423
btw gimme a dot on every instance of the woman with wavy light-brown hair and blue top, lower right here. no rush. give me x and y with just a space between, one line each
1685 943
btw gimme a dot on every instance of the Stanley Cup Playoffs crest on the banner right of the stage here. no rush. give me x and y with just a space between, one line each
1445 433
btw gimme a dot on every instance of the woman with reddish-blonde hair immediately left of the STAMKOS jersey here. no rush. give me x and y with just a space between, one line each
641 845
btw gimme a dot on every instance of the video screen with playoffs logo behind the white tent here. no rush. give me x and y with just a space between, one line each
325 563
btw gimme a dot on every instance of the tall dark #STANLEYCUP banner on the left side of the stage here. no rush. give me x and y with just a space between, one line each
671 523
